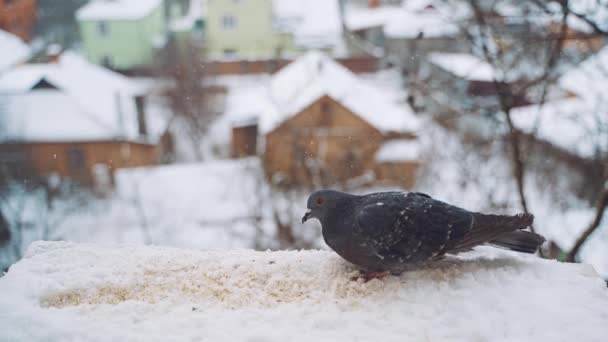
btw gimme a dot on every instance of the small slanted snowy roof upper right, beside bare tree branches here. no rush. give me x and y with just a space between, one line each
465 66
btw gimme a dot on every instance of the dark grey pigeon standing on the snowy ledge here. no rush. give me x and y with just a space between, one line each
392 231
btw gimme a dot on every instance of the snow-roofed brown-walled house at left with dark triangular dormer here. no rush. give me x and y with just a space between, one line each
71 119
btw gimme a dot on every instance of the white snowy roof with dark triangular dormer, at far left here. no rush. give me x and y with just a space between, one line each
69 100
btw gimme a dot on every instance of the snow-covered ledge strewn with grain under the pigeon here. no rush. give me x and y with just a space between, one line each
67 291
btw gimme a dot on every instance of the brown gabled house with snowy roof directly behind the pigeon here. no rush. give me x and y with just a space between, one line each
324 124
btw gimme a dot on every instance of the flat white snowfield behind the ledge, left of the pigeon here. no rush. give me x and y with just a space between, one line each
200 205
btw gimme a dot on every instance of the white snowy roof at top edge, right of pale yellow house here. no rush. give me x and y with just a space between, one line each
315 24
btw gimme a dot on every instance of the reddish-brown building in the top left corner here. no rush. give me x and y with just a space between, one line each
18 17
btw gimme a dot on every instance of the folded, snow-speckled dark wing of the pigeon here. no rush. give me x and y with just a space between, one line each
414 229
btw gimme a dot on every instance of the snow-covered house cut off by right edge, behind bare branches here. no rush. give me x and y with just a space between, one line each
573 129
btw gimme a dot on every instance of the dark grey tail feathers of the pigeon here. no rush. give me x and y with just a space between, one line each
501 231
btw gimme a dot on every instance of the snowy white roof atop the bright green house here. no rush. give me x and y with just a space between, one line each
117 9
